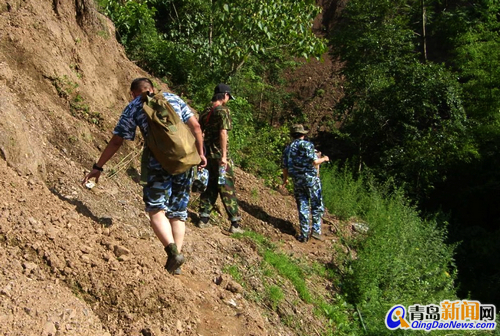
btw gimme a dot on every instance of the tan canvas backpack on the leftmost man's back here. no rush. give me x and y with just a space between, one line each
169 139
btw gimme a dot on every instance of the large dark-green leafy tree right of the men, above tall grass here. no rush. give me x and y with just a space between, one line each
404 118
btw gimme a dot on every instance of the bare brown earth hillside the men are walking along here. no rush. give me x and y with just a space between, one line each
85 262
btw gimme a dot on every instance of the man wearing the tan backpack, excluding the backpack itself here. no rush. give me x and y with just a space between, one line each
166 196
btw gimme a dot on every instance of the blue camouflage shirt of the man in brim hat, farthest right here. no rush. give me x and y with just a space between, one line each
298 158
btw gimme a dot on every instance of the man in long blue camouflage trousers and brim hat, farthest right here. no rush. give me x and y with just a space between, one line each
301 163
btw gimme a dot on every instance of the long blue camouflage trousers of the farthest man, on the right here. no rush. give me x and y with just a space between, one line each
309 200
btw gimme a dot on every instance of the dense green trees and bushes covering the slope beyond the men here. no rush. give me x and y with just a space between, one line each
420 114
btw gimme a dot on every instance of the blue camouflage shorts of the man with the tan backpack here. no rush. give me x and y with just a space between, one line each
167 192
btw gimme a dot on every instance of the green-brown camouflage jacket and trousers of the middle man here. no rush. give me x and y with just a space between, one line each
212 121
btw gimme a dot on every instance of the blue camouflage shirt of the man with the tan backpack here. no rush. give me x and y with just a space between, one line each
133 116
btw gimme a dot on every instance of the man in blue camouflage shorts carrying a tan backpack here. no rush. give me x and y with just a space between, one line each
168 182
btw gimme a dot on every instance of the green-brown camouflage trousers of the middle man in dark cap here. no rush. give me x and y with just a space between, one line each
226 191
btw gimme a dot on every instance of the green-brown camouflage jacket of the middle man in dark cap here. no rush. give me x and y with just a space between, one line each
212 121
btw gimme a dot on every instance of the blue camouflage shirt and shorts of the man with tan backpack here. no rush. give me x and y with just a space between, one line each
162 190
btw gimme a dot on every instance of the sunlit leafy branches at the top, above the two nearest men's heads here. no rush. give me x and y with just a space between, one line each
194 42
